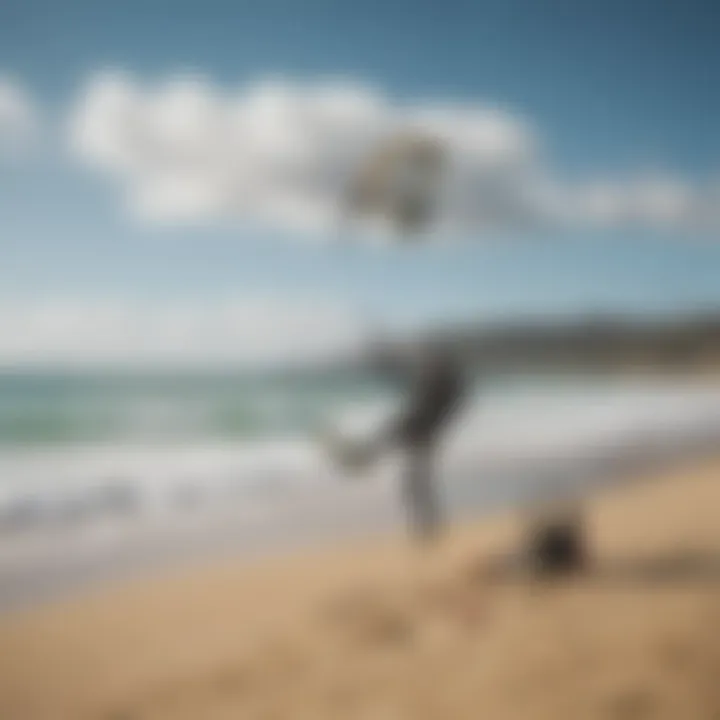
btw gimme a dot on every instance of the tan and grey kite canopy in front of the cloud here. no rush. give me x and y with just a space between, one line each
399 183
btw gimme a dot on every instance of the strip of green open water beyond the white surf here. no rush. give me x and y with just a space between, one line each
45 409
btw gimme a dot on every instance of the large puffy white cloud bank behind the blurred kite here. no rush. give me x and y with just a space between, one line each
283 153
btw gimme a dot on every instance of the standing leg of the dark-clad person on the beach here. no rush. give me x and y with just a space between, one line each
420 494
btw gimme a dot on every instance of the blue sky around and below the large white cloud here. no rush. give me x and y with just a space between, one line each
611 88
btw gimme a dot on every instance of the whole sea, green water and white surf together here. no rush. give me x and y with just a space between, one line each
78 450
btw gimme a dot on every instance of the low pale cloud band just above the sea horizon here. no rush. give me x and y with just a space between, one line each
235 330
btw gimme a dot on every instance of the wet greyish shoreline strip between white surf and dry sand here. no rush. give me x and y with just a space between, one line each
62 566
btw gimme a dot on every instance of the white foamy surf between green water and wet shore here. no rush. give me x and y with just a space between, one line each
77 485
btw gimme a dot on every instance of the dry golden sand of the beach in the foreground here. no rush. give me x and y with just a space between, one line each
374 630
